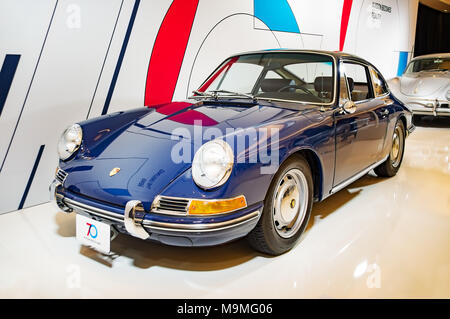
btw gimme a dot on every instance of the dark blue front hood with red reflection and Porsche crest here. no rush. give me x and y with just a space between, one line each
143 148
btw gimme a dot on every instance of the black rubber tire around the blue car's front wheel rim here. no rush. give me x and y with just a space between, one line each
265 237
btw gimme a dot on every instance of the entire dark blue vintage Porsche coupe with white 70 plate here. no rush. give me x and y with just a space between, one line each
311 123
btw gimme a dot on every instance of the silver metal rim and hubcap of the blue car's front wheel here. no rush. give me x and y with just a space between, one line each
290 203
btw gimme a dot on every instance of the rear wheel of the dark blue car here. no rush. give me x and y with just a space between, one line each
392 164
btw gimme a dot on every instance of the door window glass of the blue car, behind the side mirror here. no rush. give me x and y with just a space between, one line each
358 81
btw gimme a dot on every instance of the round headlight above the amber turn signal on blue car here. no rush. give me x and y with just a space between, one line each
212 164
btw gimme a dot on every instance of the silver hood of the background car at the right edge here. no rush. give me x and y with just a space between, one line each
423 83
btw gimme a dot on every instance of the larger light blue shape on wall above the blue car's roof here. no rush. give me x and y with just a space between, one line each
276 14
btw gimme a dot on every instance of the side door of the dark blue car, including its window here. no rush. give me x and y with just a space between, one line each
359 135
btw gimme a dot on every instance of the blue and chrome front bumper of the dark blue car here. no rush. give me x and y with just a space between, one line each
171 230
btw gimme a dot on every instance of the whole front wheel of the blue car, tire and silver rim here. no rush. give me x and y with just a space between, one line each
287 208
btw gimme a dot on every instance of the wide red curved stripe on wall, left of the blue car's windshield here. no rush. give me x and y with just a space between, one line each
168 52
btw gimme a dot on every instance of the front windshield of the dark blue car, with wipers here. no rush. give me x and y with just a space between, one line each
303 77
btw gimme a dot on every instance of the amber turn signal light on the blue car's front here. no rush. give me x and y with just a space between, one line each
210 207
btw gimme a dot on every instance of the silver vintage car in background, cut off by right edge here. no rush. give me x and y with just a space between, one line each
425 85
